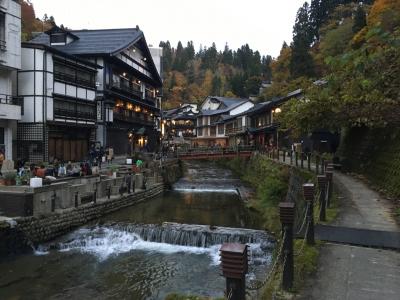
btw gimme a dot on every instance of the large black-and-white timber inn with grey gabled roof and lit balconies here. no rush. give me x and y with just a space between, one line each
86 86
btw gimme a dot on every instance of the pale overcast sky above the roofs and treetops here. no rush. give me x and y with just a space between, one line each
263 24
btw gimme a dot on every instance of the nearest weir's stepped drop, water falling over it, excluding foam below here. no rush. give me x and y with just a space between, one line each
202 236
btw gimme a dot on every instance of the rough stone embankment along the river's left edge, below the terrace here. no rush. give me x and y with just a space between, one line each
20 234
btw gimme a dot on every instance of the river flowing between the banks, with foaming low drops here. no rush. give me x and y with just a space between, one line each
148 250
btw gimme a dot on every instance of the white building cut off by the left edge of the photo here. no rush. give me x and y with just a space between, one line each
10 62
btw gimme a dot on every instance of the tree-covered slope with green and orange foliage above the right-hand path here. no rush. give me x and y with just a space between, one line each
354 47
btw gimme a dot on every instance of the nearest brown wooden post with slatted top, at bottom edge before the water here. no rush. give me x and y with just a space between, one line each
234 263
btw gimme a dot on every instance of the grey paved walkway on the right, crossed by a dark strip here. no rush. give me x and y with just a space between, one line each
357 273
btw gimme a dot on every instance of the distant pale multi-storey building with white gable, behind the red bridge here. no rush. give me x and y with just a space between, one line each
213 114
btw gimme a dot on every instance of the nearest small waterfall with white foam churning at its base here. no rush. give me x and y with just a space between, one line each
114 239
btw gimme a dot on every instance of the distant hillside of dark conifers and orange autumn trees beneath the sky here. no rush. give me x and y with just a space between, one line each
191 76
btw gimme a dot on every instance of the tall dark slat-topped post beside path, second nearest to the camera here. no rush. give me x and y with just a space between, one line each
286 213
